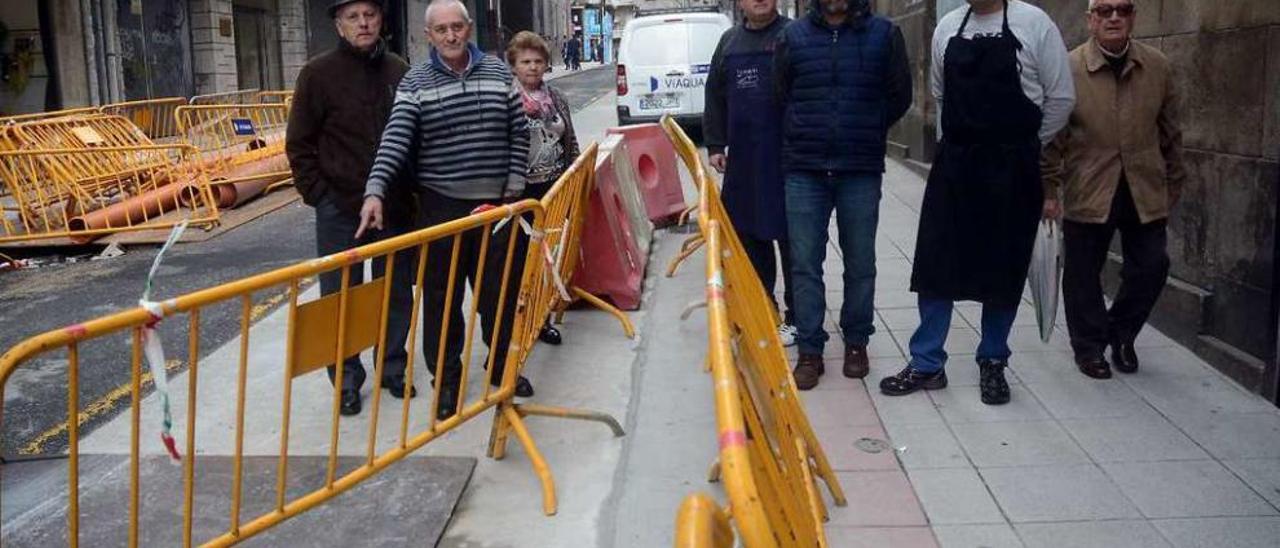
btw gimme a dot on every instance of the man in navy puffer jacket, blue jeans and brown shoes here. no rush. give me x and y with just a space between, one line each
844 79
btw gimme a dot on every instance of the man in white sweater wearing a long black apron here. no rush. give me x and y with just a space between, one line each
1004 84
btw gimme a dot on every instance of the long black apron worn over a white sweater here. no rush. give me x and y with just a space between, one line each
984 200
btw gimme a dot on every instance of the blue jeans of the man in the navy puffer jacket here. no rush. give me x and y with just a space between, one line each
856 199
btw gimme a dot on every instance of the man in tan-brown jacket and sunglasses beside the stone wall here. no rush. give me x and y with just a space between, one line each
1118 167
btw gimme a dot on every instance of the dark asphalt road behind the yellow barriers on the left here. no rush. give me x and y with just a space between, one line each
62 294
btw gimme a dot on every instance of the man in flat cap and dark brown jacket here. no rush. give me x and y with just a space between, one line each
341 103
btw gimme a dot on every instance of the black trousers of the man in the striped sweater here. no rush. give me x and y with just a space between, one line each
436 209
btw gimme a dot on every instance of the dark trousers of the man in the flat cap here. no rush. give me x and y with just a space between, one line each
336 231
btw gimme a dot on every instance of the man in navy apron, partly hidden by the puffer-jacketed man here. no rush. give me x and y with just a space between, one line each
742 113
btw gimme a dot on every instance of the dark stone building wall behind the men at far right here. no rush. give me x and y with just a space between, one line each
1222 300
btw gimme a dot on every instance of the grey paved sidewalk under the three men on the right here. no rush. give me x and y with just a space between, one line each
1174 455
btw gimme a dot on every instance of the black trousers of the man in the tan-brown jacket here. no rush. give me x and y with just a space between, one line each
1146 267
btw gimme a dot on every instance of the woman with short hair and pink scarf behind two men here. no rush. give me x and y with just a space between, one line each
552 143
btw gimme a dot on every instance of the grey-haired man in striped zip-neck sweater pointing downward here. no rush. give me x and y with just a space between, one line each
460 125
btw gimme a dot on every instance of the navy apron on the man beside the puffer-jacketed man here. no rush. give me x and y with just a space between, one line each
753 193
